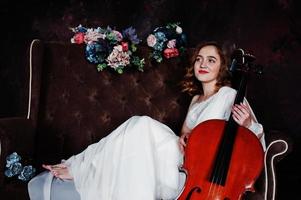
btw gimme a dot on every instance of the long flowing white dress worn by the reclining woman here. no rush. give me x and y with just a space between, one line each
139 159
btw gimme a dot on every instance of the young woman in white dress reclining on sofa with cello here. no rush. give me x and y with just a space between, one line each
140 159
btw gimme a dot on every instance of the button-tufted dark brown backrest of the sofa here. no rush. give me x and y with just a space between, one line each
78 106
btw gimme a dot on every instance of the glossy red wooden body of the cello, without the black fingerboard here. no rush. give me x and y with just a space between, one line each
245 164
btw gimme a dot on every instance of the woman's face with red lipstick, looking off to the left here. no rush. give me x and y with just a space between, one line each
207 64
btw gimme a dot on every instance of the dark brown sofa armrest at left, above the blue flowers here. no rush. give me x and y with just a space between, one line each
16 134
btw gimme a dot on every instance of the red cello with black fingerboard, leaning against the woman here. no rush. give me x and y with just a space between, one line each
222 159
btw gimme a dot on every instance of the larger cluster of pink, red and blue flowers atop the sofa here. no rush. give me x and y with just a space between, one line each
108 47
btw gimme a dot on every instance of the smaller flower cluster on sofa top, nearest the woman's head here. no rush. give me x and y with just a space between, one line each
168 41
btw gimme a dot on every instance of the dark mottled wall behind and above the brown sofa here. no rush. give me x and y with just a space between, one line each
270 30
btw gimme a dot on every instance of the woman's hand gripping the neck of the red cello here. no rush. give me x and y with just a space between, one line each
242 115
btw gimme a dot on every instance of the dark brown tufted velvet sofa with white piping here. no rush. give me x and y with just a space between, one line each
69 105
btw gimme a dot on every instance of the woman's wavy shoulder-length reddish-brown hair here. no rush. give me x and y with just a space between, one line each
192 85
